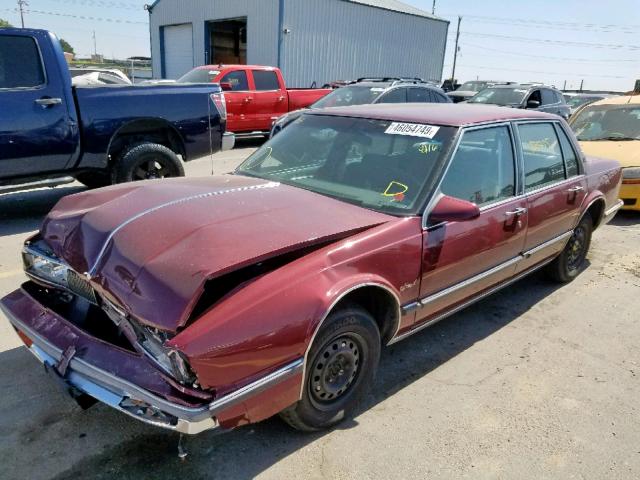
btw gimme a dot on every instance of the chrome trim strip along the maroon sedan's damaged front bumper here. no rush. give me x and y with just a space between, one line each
113 390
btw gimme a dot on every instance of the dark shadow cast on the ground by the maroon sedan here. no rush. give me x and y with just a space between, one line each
139 451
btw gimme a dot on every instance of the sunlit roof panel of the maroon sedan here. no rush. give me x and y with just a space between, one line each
444 114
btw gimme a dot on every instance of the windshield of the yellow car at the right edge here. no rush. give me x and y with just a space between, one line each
607 122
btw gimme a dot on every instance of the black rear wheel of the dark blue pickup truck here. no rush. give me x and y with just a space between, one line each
147 161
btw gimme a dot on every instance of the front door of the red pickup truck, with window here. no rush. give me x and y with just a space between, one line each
238 100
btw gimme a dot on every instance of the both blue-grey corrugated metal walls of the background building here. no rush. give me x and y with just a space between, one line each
328 39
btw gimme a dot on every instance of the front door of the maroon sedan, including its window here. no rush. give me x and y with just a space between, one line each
463 259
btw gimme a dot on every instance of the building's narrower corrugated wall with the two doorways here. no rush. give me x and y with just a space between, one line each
262 26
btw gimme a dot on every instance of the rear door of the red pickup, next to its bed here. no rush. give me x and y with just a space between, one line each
269 99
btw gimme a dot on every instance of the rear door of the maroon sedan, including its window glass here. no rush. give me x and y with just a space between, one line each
555 187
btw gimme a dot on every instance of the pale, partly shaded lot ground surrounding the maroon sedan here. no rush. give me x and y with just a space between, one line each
537 381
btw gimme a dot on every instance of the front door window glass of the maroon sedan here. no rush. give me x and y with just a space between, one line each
483 168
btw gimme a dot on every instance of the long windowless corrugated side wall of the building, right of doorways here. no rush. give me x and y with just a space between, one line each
338 40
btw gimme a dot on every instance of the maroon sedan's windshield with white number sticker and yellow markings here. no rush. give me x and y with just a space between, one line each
377 164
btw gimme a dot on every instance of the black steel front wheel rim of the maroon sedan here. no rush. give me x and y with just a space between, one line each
335 370
